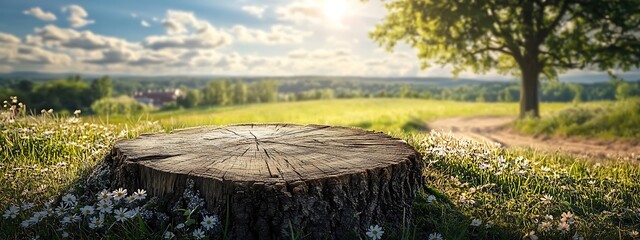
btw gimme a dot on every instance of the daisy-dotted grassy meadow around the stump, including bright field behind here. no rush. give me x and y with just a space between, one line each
472 190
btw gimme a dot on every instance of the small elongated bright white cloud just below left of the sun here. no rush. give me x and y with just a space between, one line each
278 34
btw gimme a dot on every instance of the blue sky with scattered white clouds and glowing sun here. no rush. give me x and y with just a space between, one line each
204 37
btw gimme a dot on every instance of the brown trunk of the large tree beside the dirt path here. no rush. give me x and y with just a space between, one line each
529 101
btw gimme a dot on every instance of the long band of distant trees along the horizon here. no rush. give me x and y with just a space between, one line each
103 94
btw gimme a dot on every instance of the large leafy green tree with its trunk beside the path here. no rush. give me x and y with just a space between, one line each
525 38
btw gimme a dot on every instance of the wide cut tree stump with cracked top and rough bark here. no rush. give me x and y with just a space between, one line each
327 182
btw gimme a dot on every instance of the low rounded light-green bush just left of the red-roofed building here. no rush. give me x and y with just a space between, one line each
122 105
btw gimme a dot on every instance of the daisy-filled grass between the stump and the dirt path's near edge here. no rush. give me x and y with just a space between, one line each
519 193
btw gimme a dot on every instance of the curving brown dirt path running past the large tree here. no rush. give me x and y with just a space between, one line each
496 129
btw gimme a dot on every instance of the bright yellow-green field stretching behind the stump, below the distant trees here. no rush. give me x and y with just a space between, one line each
387 115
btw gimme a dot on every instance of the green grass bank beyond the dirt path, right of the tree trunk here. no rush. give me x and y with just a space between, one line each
616 120
